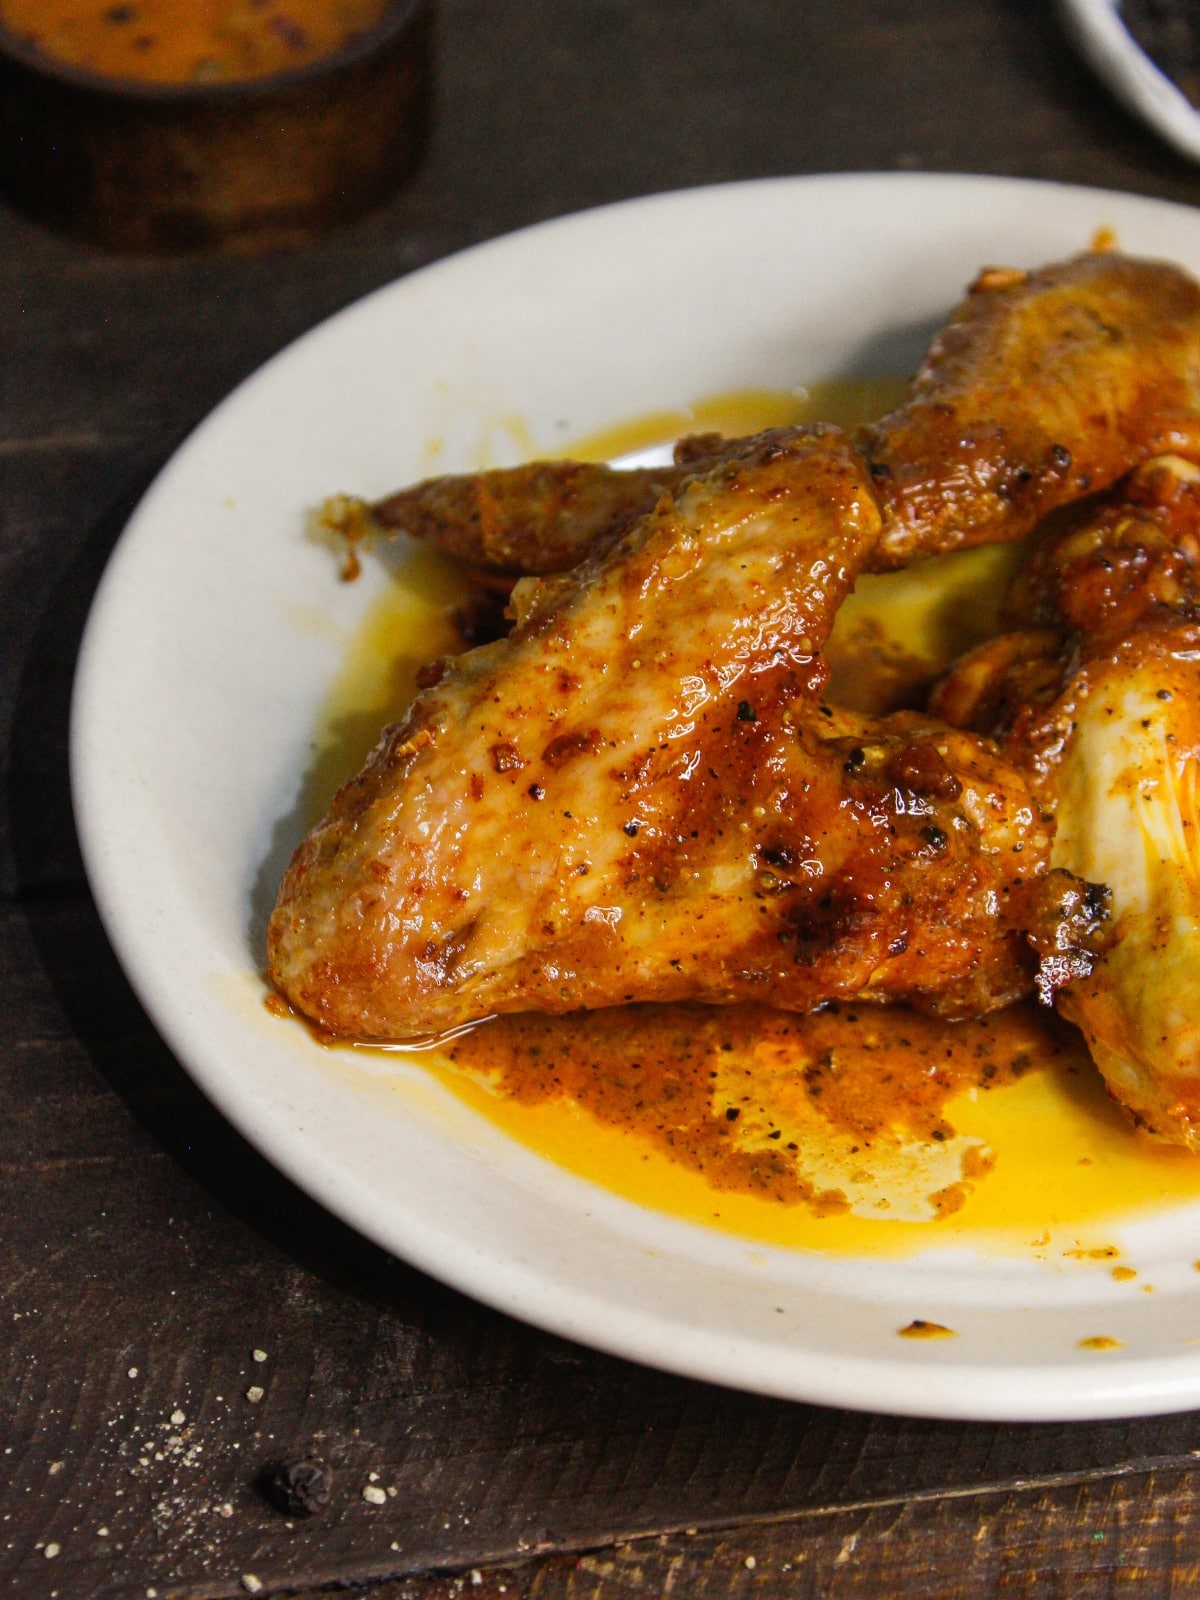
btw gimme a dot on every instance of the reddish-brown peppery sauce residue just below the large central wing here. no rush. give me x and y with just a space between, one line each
841 1110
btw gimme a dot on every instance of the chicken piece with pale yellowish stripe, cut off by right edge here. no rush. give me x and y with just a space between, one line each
1097 692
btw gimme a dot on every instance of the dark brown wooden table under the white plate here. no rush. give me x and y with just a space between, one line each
150 1254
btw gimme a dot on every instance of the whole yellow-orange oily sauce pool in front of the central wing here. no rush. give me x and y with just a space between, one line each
865 1132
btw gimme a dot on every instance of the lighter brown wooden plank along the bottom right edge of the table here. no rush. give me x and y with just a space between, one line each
1124 1537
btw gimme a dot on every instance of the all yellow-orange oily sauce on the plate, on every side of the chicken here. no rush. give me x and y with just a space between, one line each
857 1130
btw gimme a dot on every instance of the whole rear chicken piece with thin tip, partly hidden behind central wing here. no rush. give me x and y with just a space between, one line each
1042 386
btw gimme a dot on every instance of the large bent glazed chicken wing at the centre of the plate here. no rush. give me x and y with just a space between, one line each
641 796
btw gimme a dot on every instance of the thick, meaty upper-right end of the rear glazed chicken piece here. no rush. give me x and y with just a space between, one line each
1042 386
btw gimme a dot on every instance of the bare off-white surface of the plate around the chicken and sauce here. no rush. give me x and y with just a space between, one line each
218 631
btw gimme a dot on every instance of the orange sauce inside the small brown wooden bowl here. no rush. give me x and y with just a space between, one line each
190 41
